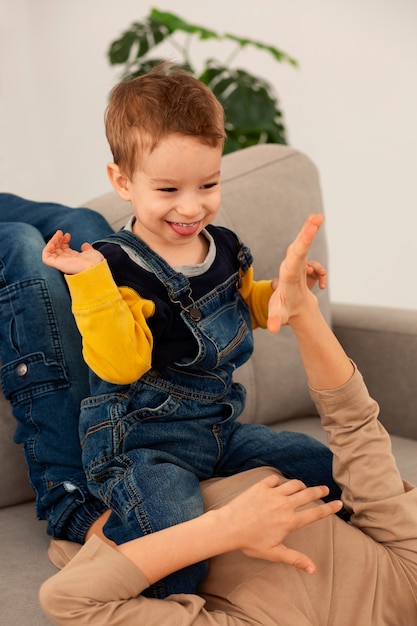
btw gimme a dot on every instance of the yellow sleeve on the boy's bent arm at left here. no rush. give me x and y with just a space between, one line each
117 341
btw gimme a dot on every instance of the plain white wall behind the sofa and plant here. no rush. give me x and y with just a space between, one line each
351 107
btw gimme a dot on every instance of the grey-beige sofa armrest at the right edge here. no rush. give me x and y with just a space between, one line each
383 343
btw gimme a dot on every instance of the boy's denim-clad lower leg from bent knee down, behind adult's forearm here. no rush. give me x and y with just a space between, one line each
150 492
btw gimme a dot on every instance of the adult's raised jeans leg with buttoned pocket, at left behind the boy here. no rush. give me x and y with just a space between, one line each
43 373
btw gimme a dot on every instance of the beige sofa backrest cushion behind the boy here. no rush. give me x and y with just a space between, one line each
267 192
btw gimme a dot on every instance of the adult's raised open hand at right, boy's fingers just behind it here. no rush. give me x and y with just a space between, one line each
296 277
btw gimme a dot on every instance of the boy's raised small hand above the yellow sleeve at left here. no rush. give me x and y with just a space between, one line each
58 254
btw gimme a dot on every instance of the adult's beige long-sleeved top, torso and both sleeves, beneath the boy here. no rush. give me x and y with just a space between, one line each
367 570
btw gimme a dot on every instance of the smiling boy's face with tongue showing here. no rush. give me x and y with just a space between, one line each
175 194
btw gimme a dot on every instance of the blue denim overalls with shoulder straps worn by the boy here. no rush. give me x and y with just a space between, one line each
147 445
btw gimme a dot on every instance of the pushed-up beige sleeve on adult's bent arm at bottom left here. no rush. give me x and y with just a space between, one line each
100 586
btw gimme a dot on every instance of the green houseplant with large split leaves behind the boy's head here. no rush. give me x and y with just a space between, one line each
253 114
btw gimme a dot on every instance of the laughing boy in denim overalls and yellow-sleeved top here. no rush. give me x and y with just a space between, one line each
166 309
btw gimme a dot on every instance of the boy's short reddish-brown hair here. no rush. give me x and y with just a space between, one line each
145 109
